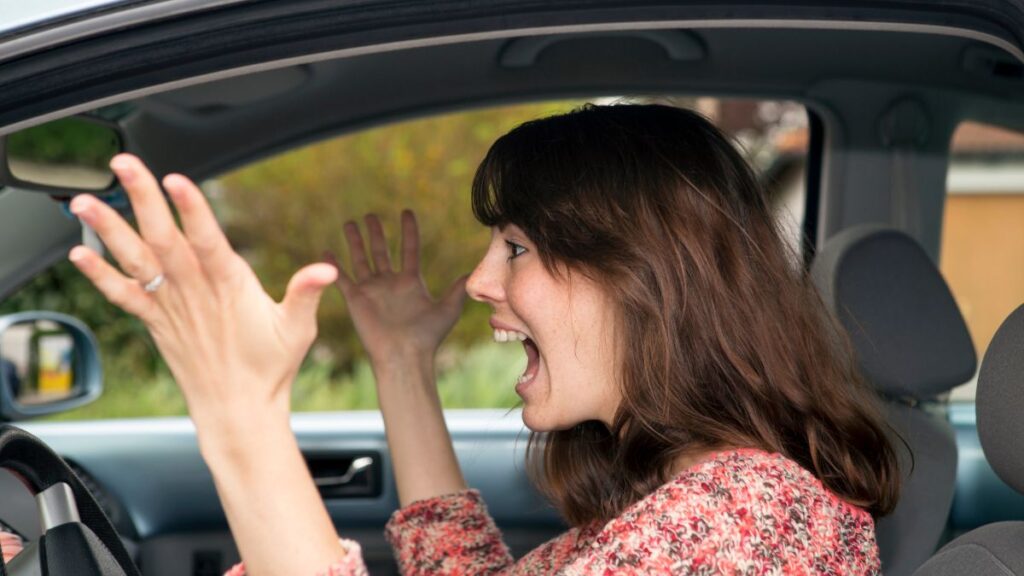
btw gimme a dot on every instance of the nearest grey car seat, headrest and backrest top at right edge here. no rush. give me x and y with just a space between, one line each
995 550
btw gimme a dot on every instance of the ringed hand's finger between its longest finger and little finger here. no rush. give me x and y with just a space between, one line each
134 256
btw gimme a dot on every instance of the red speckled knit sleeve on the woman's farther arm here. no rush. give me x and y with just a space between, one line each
448 536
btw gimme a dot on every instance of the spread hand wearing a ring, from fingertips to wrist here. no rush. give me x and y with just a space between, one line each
233 350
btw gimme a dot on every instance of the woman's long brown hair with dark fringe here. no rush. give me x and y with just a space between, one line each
730 345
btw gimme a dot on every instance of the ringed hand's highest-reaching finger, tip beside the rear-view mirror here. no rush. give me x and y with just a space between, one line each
153 215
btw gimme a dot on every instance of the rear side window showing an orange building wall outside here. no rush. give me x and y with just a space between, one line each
983 233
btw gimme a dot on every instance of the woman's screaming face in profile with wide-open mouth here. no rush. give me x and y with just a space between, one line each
566 326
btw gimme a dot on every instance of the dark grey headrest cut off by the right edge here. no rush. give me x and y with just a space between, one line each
1000 402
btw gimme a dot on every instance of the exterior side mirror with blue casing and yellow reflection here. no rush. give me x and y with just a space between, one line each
49 363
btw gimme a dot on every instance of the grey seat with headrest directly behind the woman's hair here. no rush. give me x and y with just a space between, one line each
912 344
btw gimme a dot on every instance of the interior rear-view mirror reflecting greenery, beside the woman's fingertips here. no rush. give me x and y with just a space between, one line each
67 155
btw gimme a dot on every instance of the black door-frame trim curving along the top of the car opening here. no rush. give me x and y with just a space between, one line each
238 35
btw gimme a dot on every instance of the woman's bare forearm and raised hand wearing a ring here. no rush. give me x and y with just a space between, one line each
233 351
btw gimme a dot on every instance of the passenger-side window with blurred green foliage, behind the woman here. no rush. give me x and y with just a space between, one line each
284 212
